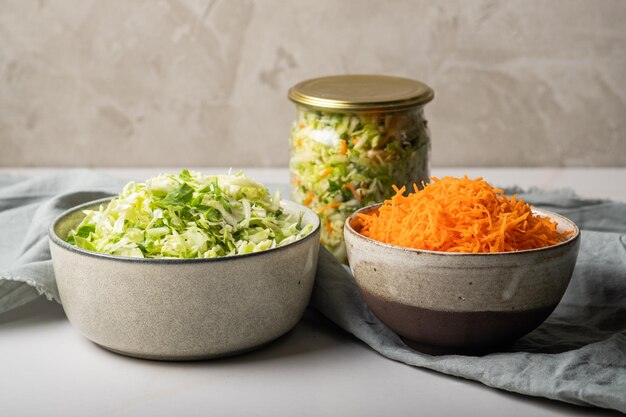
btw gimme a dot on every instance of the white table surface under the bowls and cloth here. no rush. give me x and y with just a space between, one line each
47 368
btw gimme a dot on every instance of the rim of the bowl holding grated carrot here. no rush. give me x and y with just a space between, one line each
573 238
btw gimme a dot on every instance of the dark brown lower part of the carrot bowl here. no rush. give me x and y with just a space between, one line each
445 332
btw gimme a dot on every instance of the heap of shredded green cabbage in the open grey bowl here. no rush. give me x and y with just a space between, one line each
189 215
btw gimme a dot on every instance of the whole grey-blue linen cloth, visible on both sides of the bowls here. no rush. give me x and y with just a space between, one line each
578 355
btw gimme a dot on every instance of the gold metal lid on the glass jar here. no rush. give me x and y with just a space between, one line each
361 93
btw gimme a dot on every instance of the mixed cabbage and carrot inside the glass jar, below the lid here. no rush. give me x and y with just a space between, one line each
343 161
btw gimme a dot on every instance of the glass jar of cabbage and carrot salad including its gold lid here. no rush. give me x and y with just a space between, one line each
354 138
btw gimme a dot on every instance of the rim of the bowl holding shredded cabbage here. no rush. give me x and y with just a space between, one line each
54 238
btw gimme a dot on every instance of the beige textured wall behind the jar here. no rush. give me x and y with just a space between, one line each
190 82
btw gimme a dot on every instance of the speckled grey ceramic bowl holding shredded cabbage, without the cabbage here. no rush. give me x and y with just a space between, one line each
184 309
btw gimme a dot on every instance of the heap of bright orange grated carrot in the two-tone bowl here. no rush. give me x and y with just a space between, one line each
459 215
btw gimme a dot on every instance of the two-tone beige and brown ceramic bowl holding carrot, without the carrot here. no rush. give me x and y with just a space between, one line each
444 302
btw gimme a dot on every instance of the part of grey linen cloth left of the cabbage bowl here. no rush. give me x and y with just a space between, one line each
27 208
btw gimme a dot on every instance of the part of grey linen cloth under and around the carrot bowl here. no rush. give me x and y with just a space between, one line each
578 355
